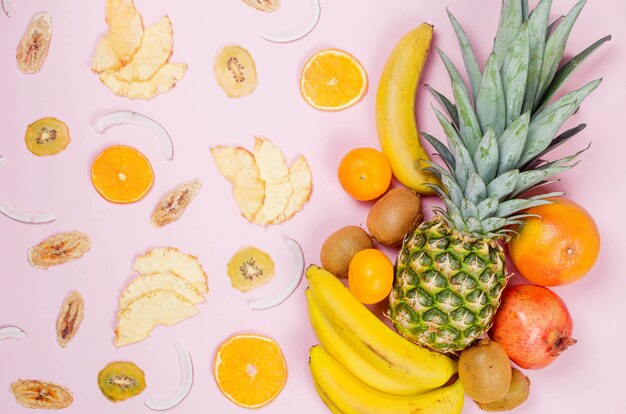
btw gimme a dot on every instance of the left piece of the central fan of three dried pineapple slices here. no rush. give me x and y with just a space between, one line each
238 166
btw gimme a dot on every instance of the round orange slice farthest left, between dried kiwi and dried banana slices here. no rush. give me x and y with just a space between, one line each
121 174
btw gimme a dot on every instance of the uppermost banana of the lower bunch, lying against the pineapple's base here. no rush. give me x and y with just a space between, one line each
372 339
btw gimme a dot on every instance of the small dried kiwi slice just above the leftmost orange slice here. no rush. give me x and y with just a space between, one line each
47 136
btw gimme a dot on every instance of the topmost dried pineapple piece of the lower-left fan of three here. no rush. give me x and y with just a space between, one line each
169 259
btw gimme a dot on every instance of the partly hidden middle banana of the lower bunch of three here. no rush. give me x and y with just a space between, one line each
346 355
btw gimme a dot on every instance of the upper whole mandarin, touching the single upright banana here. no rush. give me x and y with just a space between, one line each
364 173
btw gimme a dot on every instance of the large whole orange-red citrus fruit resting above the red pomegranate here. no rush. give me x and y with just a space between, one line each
558 247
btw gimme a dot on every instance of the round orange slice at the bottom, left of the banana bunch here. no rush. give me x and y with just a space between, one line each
250 370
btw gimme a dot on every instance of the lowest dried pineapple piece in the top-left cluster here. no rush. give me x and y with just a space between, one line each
162 81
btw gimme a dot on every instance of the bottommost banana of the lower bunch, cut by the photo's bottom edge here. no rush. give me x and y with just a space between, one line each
351 396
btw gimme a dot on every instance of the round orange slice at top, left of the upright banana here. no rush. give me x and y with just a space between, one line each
333 80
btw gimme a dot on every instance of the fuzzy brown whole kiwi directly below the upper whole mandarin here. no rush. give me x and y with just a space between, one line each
393 216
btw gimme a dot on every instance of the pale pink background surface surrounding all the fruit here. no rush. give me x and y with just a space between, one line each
587 378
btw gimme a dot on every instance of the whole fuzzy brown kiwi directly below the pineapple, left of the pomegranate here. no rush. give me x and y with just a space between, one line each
485 371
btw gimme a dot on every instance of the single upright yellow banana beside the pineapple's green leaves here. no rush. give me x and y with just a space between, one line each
395 110
